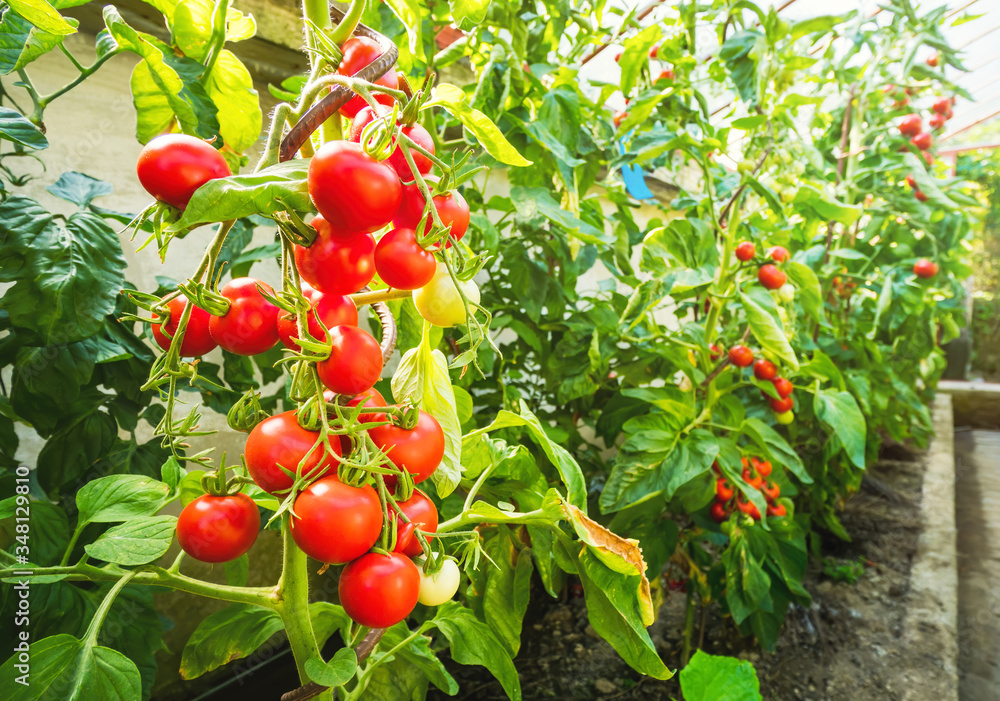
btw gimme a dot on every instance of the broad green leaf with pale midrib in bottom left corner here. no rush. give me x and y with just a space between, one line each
70 669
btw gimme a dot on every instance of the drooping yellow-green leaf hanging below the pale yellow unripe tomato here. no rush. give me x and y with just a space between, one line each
422 377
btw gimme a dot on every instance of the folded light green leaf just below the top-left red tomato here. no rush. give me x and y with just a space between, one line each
276 189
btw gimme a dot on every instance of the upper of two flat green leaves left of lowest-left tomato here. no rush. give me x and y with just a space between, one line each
119 498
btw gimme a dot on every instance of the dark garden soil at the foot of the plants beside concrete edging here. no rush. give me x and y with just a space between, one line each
845 646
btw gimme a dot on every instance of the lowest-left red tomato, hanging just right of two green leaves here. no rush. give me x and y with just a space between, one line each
218 529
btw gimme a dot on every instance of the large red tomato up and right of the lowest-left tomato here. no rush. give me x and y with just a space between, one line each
278 441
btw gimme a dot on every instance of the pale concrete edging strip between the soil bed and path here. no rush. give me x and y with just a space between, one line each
931 618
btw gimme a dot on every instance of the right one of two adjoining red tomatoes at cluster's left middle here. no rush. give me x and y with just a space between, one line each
251 324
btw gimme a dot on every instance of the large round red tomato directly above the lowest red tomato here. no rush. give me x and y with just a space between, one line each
335 522
